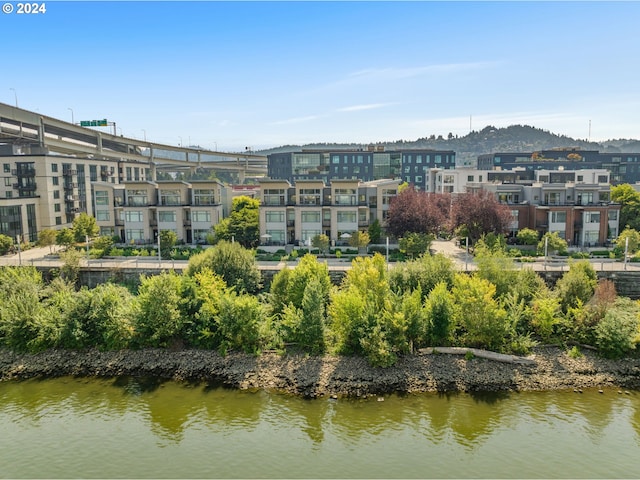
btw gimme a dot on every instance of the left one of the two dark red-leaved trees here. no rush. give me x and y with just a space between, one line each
418 212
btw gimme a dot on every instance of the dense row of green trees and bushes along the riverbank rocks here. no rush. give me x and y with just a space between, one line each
377 312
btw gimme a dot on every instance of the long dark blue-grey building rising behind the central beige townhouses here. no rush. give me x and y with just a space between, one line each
373 163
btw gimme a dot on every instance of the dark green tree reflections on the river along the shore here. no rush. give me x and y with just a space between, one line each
171 410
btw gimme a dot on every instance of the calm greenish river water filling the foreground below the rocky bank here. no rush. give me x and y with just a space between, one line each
132 428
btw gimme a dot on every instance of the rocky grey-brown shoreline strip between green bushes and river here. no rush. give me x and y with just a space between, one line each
549 368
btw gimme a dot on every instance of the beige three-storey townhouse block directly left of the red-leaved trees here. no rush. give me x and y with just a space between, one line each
294 214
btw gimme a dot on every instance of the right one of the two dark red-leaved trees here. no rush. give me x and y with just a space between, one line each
480 213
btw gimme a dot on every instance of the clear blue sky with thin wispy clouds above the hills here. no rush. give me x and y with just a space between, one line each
264 74
